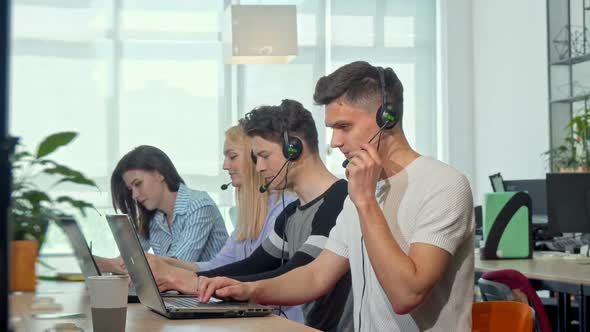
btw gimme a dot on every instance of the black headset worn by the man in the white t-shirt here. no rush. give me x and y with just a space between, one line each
389 114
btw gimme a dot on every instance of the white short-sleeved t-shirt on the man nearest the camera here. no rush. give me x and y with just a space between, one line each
428 202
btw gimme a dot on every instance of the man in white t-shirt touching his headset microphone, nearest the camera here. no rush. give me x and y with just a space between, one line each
406 230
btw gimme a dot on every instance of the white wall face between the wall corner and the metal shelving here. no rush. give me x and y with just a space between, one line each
511 94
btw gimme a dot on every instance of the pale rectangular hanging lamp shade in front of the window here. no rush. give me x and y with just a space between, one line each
260 34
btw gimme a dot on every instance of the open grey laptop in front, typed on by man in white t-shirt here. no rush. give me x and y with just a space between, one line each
169 305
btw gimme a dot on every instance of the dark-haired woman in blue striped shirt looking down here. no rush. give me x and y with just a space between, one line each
171 219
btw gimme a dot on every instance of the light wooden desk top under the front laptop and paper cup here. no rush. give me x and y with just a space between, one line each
74 298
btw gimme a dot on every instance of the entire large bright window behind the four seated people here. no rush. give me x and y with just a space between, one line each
130 72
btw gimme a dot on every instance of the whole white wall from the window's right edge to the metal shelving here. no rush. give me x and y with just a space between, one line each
509 94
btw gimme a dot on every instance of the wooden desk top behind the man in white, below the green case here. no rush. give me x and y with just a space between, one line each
543 266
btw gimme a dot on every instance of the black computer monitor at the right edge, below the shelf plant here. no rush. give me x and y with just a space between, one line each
568 202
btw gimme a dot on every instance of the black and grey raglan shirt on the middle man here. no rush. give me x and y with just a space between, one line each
299 236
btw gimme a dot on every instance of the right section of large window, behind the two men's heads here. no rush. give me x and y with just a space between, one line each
395 33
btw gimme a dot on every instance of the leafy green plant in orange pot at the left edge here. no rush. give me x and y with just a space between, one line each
32 206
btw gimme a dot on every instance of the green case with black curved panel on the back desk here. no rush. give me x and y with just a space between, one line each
507 226
